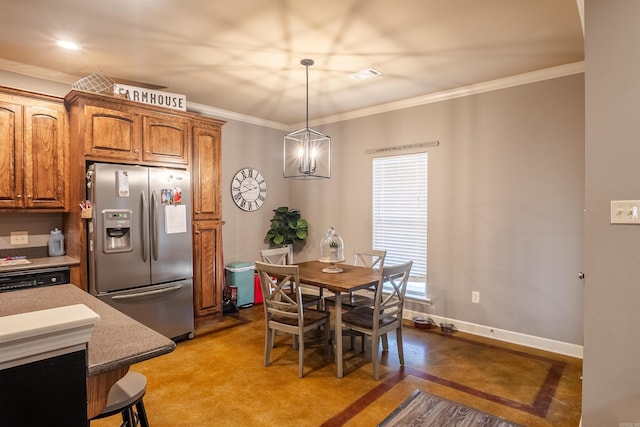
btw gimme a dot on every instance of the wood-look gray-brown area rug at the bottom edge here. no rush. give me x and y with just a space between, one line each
424 409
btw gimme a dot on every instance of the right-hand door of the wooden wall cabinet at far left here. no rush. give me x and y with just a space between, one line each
45 157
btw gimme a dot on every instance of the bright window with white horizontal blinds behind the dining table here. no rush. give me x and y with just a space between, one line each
400 214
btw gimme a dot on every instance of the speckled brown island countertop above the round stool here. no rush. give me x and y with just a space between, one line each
117 339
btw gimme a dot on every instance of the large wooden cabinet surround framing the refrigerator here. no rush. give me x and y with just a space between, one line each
112 129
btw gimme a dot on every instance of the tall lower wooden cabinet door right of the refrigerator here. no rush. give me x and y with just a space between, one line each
208 271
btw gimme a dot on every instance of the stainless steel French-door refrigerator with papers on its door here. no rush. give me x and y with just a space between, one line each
140 244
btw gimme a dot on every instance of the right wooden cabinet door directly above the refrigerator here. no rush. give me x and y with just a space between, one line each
165 138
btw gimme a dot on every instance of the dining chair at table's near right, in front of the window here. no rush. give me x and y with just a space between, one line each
385 315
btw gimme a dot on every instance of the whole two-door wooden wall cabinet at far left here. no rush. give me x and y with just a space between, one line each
33 151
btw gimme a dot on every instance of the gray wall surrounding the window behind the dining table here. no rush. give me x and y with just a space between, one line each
506 202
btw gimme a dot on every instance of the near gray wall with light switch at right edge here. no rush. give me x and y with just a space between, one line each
611 388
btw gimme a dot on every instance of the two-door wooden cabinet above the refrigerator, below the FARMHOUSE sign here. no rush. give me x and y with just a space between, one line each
118 130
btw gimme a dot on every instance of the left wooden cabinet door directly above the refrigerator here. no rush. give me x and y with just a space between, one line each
112 134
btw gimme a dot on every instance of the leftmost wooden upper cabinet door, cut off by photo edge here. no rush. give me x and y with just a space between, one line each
10 155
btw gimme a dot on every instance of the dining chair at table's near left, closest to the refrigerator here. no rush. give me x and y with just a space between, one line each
284 310
